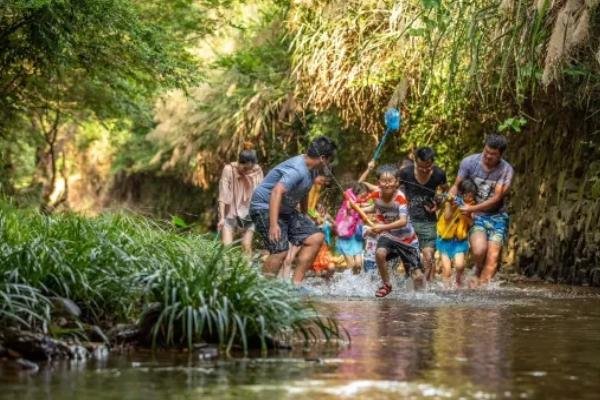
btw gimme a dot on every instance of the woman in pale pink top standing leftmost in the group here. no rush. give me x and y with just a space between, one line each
238 181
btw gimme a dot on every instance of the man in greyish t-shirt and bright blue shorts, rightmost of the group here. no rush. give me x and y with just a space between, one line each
493 177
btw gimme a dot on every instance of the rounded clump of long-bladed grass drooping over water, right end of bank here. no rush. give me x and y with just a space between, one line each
209 293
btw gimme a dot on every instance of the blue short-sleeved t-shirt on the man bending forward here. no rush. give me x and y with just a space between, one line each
295 177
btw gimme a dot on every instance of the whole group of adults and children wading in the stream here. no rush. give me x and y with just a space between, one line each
408 214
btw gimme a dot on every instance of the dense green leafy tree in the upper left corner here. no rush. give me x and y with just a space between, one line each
67 61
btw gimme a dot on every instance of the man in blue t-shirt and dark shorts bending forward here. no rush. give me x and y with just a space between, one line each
274 207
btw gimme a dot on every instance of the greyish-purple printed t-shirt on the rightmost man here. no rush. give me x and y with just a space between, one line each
472 167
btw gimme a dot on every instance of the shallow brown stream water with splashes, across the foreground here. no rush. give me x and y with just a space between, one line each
510 341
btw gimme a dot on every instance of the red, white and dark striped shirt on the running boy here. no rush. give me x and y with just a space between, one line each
387 213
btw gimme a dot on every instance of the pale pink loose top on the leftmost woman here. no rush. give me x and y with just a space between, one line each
235 189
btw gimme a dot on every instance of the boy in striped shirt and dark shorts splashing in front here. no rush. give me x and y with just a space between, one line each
397 237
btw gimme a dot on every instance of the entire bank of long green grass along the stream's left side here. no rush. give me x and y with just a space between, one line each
121 268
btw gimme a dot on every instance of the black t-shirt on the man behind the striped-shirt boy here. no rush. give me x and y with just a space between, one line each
419 195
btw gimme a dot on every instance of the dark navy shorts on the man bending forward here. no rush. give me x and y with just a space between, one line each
295 228
